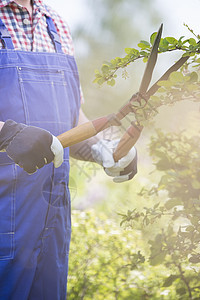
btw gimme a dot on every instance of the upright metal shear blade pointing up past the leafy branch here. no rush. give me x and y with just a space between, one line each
150 63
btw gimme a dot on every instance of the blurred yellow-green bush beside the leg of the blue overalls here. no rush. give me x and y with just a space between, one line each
105 262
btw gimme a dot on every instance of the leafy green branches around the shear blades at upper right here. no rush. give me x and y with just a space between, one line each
180 85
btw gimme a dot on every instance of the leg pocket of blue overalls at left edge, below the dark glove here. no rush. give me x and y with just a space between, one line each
7 208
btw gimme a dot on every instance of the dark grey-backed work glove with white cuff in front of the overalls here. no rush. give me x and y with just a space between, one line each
30 147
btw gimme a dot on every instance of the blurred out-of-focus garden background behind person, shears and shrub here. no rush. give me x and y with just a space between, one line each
101 30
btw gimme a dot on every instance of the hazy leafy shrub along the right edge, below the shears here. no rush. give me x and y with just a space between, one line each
176 244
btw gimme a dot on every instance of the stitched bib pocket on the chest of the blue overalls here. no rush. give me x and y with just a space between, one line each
46 103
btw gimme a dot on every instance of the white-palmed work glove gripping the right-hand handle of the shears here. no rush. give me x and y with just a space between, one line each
123 170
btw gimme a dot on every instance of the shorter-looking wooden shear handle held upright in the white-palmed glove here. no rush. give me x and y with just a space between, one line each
127 141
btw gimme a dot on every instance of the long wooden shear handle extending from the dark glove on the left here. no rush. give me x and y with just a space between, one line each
87 130
